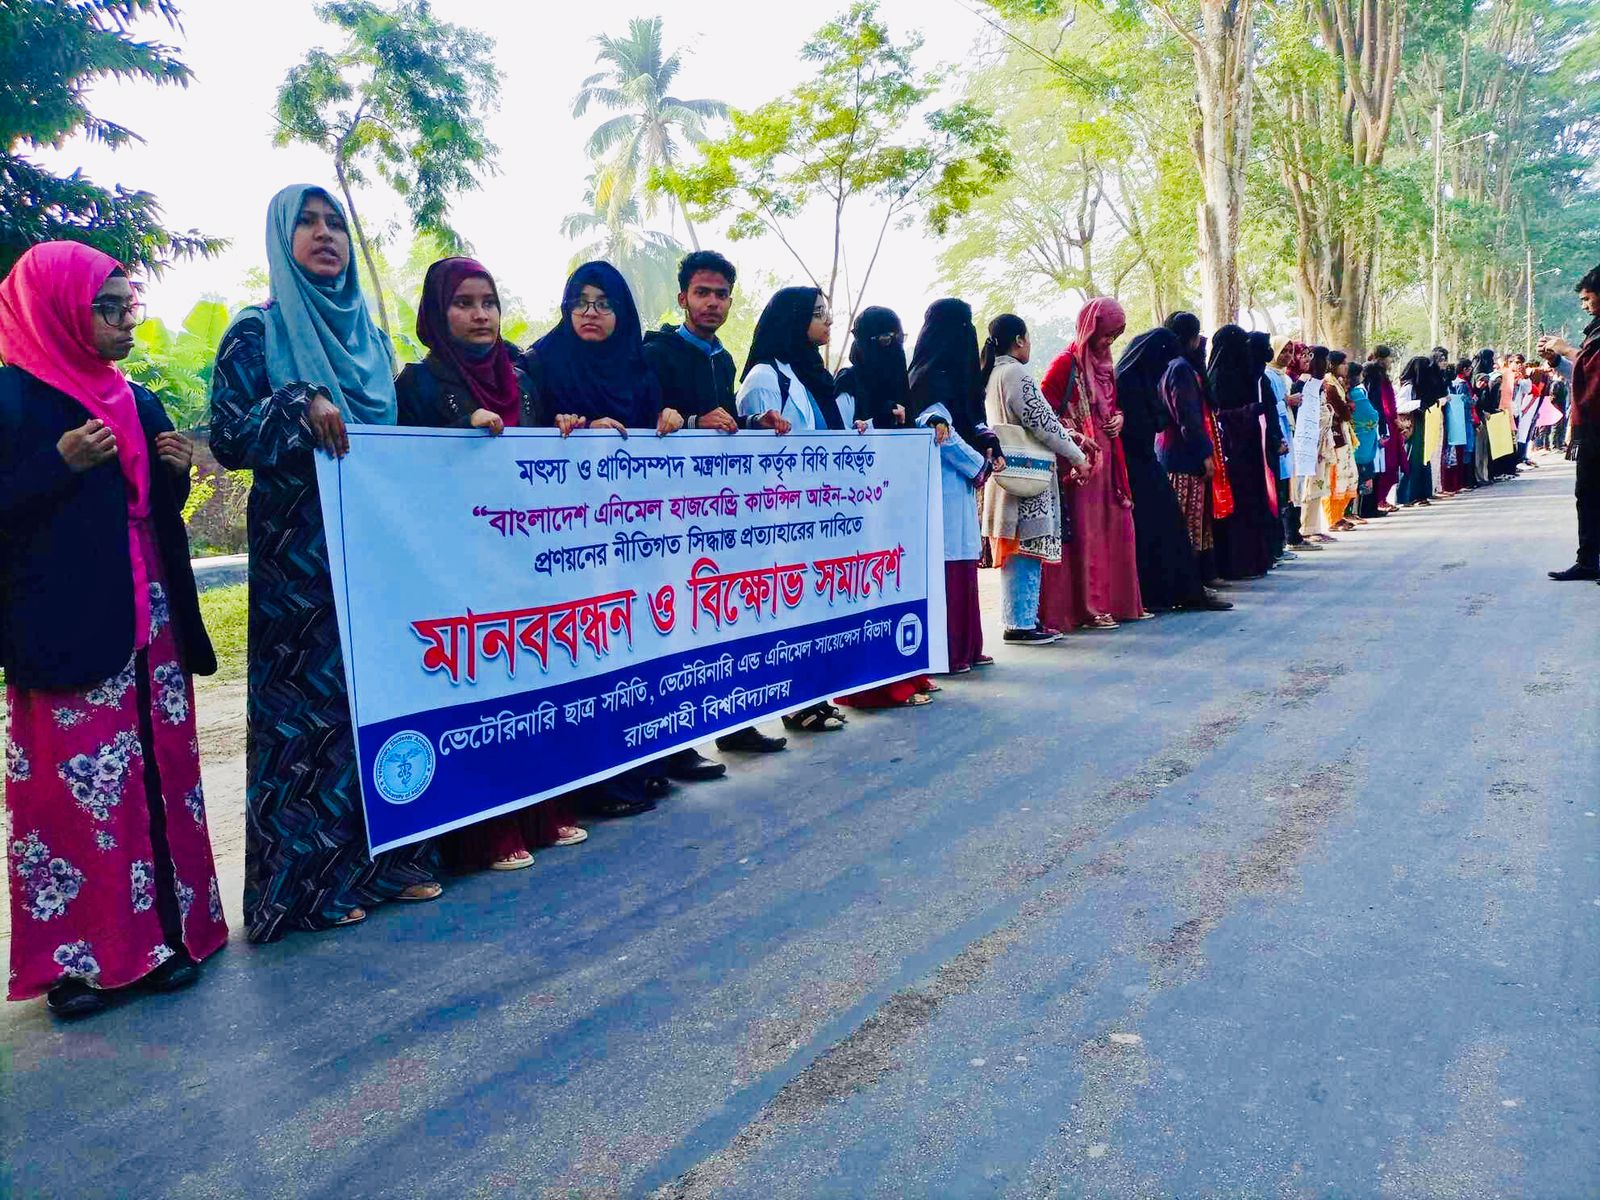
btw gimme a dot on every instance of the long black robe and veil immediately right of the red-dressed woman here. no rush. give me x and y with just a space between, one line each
1169 577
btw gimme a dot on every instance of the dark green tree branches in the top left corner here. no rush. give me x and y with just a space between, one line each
50 57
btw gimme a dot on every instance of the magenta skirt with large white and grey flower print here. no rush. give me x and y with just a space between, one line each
108 825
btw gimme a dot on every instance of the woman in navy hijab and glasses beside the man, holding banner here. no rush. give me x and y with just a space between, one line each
591 369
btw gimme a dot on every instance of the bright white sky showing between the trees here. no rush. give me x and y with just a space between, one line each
209 150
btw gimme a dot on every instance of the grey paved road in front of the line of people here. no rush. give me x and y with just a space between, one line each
1297 902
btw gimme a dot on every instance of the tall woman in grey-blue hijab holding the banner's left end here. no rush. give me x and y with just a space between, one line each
289 377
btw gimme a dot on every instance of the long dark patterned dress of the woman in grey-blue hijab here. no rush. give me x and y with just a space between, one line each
306 862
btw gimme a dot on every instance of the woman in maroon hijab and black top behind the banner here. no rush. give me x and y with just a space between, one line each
470 380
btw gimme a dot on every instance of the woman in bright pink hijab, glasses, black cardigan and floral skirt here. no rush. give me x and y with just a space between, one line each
113 882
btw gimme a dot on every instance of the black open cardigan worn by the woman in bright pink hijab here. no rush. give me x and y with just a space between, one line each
66 582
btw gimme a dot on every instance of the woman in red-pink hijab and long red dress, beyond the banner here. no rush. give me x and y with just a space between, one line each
1098 580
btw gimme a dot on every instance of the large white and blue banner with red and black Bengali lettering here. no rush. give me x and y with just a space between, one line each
530 614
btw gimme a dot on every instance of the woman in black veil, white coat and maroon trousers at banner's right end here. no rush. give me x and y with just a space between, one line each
948 396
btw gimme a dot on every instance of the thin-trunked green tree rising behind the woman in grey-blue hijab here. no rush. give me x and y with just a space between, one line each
406 94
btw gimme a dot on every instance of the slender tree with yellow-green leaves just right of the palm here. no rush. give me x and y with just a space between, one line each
841 140
